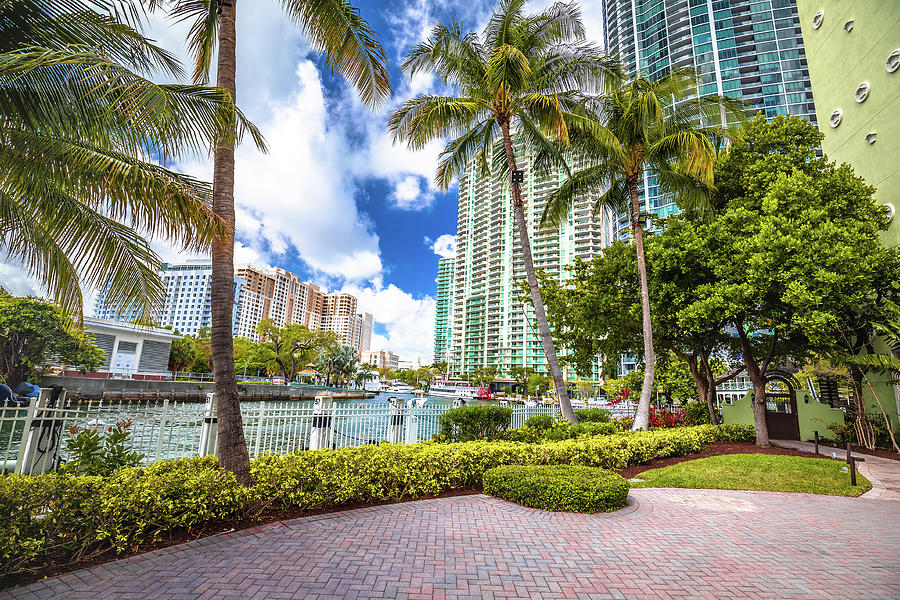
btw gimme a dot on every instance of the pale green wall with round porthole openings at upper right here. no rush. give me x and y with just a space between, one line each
838 63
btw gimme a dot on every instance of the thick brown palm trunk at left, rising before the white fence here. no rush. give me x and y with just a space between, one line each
232 447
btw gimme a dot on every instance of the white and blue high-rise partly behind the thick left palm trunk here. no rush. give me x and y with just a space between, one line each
187 304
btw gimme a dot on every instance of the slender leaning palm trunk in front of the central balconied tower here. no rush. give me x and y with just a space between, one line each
539 314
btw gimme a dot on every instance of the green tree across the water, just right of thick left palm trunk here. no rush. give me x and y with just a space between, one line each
290 348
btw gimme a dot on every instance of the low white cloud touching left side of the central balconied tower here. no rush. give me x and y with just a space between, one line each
409 321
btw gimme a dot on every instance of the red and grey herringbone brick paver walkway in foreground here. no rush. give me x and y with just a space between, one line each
666 544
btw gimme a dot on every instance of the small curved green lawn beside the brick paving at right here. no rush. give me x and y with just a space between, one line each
766 472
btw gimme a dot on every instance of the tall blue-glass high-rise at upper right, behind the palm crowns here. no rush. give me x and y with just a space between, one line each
747 49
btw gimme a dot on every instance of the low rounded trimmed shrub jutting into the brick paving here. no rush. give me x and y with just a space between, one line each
558 487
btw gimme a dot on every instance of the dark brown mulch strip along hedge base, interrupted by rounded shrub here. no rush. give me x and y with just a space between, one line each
274 514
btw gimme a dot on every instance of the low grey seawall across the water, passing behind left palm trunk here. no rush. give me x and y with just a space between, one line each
88 388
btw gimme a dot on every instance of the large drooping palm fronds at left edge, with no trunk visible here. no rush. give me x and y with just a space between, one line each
82 135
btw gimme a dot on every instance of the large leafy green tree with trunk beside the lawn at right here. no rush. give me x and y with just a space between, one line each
791 248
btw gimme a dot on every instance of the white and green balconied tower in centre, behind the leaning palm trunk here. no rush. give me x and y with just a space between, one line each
491 325
